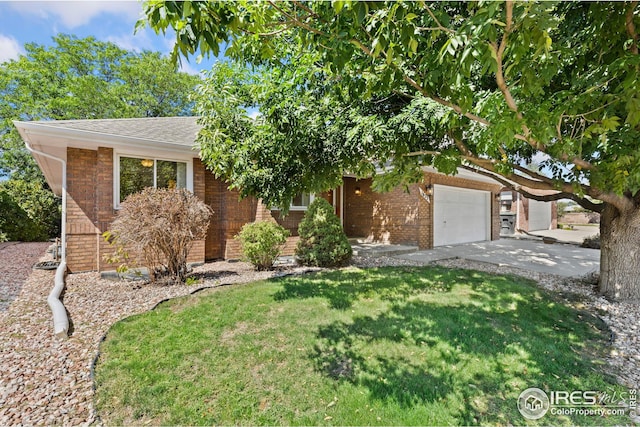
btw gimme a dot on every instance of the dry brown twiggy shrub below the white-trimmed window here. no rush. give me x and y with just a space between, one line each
159 226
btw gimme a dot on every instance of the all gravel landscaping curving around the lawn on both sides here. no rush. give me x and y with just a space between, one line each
44 380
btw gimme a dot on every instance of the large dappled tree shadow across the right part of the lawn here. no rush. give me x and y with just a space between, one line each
475 348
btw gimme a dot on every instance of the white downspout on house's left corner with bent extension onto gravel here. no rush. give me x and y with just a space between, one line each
60 319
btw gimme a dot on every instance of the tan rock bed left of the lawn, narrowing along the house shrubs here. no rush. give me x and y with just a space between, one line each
46 381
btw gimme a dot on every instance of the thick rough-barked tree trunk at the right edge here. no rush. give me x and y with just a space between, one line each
620 253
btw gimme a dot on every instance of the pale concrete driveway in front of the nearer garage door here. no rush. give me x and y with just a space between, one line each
560 259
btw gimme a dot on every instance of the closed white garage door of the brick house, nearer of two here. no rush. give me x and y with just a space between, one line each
460 215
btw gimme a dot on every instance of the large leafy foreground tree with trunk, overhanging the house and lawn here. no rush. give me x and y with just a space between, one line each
485 86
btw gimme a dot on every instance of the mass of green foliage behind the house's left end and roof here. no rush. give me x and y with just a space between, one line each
77 79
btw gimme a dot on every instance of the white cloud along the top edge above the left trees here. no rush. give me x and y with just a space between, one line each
73 14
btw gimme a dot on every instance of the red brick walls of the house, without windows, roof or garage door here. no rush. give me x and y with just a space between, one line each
394 217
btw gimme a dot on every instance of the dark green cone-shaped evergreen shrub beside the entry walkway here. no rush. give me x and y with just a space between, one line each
322 239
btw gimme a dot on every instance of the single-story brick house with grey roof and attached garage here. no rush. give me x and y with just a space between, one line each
106 160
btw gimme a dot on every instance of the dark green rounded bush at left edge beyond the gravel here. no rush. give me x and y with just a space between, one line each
15 223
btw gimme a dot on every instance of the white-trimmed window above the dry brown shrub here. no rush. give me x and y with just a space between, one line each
137 173
